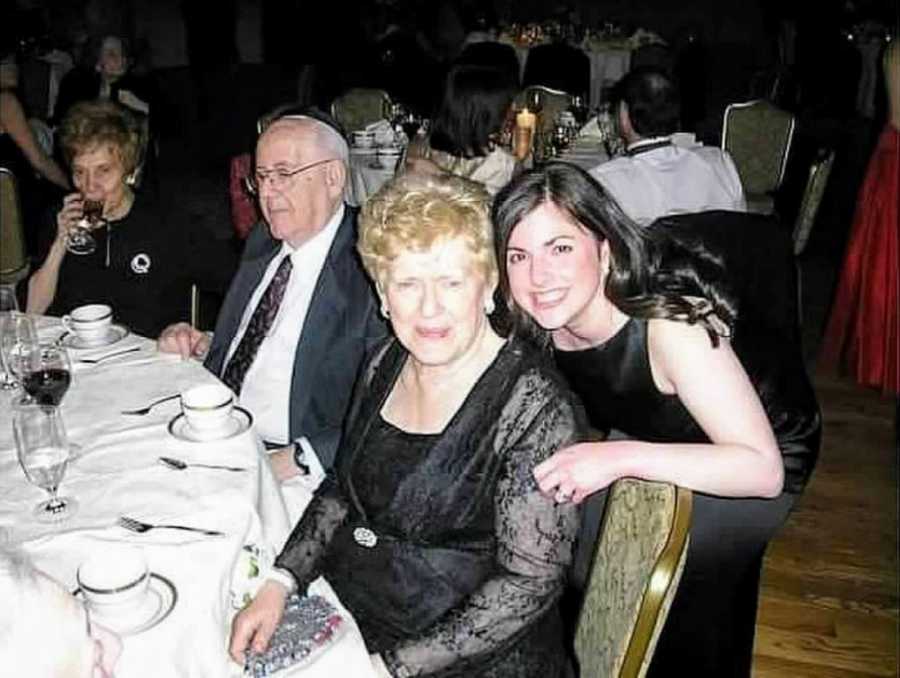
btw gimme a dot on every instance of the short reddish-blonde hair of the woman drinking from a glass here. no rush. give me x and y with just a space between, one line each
90 124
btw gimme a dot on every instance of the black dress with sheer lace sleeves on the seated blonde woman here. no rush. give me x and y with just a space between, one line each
448 556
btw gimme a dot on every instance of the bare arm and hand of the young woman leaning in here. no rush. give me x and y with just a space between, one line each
743 459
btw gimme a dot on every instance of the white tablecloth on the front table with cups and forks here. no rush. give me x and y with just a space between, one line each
118 474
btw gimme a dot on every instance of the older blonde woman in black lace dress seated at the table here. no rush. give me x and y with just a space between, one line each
431 528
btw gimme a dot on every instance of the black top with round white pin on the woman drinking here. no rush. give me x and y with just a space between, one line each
138 268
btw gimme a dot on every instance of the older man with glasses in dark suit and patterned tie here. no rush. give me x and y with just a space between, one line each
300 315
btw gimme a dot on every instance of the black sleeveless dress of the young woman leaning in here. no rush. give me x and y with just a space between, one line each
709 630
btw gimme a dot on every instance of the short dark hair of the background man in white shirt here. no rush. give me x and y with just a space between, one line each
653 100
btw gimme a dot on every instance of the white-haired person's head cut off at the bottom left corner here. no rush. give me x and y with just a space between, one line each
76 647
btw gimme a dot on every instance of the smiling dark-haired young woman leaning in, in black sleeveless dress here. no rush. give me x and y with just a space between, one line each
645 346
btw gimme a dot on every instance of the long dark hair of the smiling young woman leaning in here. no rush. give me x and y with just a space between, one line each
651 275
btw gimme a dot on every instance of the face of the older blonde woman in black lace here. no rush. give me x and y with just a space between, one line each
436 301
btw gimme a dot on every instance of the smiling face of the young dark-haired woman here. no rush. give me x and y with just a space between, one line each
554 268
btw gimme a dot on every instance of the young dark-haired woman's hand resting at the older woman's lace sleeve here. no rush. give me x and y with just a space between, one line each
575 472
